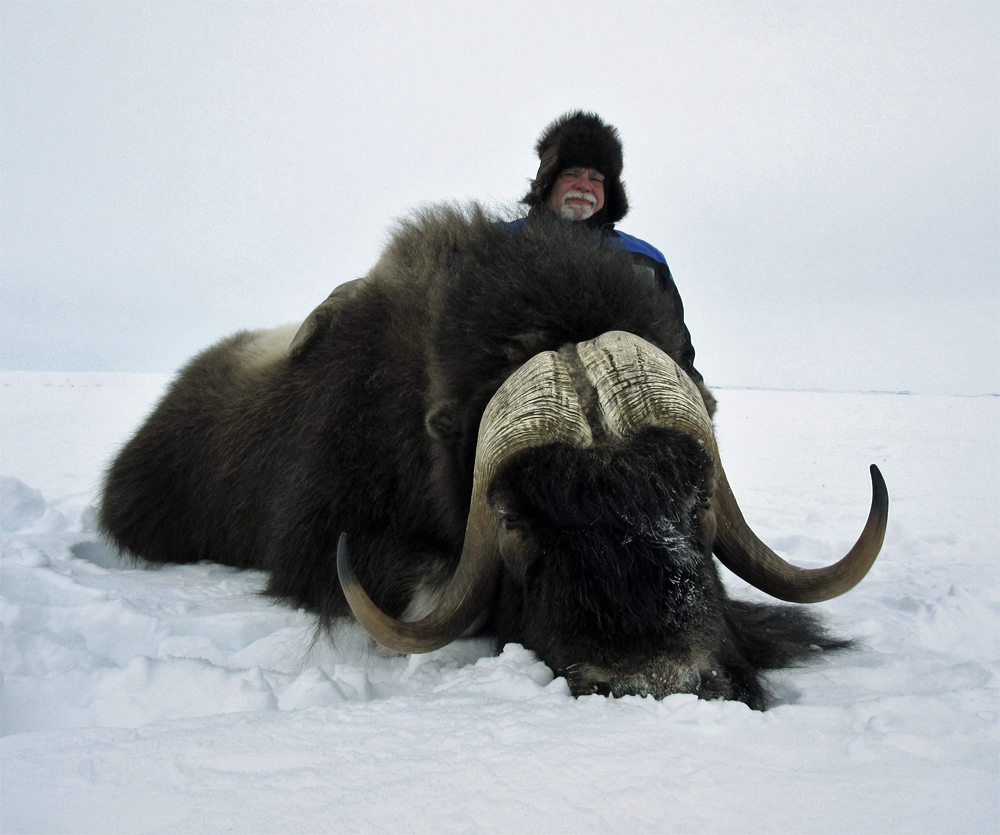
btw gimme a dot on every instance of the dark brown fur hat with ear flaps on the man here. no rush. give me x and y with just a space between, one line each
581 139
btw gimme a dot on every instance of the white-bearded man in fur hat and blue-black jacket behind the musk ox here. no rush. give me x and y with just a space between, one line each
579 178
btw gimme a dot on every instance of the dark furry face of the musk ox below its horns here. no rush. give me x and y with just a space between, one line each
607 557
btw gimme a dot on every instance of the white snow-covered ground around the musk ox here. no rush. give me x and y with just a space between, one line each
181 700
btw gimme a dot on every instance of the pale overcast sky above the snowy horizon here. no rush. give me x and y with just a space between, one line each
823 178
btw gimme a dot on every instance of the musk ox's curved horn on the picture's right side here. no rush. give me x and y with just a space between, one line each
638 385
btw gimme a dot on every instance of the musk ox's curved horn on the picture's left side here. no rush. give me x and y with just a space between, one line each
536 405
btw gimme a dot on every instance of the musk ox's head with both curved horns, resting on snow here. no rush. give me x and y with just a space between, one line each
597 502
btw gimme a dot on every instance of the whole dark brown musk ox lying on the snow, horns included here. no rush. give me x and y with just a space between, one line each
488 431
